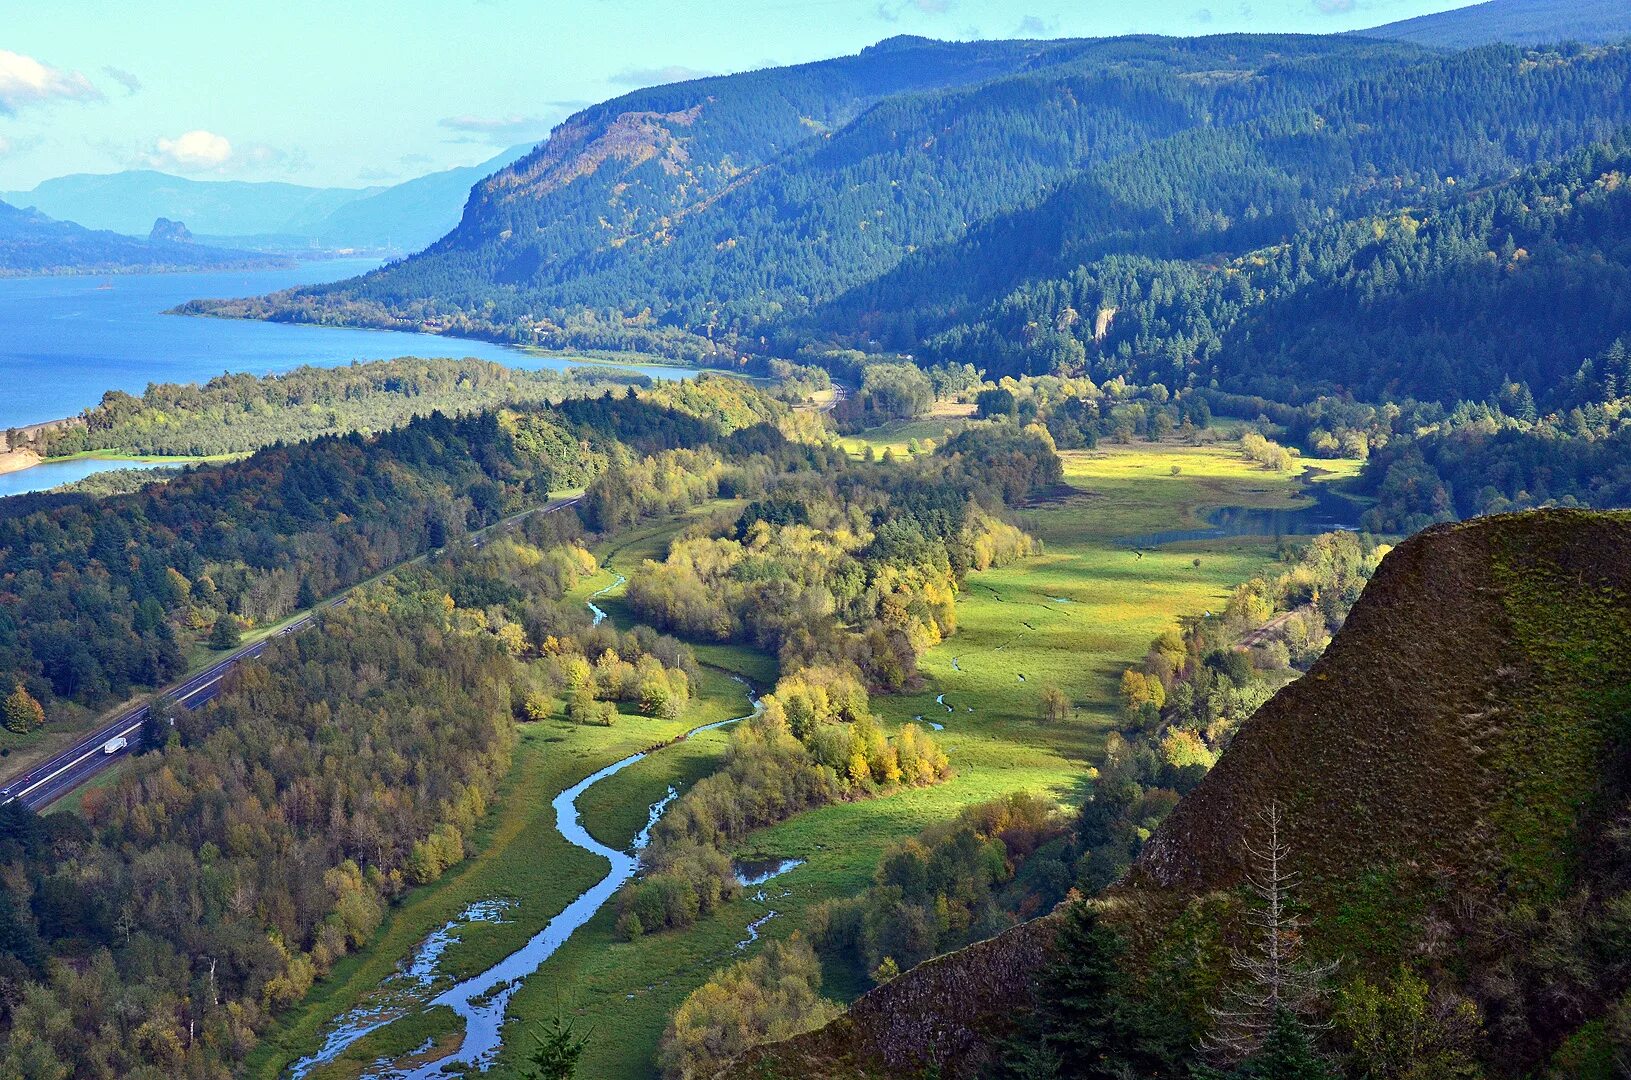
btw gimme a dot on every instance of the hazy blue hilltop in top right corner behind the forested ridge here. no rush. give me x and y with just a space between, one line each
1514 22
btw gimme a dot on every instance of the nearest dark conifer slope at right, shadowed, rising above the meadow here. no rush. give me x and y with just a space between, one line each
1446 301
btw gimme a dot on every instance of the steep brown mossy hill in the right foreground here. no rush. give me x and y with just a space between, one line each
1456 776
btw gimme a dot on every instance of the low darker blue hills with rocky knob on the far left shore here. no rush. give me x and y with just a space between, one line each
33 244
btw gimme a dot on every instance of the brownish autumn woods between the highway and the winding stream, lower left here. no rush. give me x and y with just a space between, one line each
156 934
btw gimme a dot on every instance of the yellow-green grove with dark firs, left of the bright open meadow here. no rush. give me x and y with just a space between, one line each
852 565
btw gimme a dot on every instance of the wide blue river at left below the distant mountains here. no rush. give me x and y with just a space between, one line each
68 340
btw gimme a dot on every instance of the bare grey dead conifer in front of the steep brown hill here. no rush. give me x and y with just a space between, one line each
1273 975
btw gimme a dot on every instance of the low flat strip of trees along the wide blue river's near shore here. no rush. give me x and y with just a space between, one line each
244 414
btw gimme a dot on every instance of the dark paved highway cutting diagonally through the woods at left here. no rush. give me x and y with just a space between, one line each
51 781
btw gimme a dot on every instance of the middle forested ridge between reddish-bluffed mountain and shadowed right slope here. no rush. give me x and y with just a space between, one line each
1198 200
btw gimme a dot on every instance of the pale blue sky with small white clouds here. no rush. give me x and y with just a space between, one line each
373 92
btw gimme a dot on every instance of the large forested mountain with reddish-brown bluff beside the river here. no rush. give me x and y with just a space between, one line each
717 206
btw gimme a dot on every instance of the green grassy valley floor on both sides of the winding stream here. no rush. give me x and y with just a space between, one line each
1074 616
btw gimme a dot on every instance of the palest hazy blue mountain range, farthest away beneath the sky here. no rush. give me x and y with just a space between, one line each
400 218
